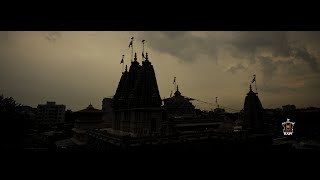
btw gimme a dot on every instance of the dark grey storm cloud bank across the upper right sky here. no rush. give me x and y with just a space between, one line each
248 46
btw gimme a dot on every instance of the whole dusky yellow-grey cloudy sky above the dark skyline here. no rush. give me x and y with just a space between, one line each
76 68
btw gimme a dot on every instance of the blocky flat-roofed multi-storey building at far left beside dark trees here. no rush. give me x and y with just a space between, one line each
50 114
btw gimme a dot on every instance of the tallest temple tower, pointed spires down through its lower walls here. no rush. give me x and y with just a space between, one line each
137 102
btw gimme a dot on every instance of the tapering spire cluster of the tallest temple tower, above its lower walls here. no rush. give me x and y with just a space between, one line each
138 87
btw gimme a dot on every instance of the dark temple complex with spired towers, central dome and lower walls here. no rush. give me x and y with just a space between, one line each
141 120
